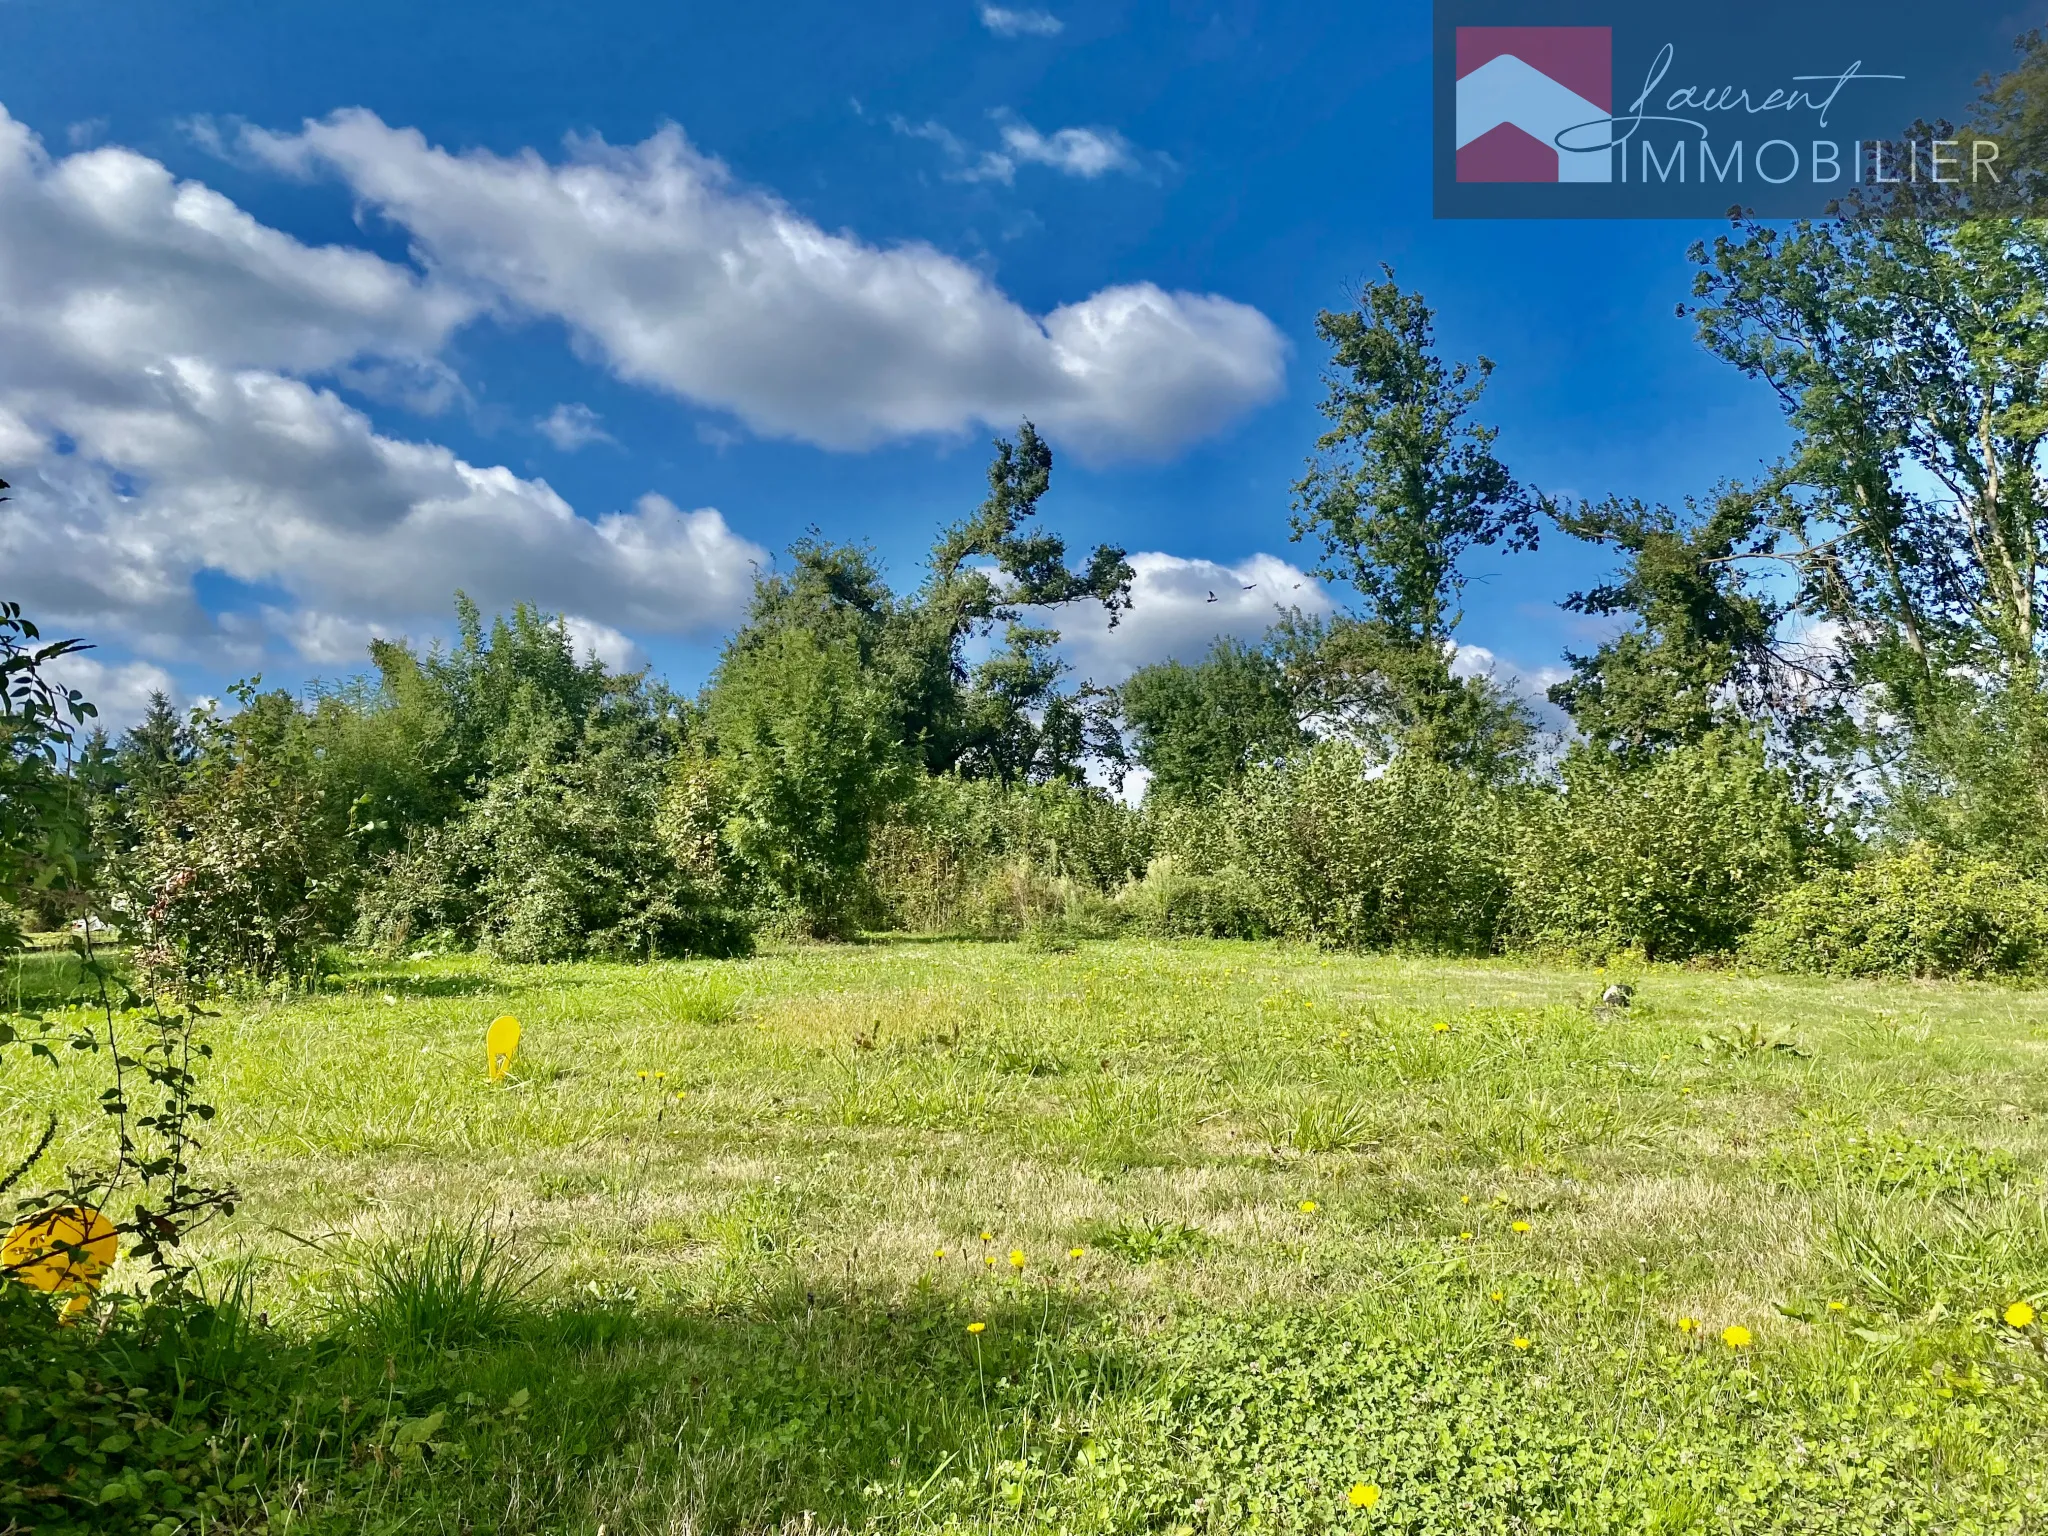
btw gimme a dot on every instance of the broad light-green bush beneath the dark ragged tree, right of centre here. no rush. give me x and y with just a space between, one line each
1670 857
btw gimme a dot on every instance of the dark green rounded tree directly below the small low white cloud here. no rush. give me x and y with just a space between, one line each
1201 728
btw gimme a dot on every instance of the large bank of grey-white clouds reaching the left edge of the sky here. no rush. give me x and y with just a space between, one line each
155 427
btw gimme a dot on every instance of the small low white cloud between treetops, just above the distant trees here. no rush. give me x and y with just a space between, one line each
1181 607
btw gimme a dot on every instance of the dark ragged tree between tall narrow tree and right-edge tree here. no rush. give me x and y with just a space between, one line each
1701 652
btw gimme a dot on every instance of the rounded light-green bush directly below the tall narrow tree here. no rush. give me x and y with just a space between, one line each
1410 859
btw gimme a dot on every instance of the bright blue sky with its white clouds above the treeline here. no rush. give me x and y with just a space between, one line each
1265 155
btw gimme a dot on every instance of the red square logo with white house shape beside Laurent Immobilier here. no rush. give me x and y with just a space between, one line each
1521 89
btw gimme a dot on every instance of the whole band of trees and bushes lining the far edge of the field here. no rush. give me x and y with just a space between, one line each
1818 734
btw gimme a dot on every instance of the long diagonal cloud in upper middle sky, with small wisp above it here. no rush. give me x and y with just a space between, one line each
687 282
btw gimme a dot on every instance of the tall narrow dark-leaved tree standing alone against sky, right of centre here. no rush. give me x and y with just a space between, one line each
1404 486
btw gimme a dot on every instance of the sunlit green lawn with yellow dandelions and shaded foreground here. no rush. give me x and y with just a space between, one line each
1205 1238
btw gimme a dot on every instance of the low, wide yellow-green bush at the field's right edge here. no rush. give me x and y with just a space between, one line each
1910 914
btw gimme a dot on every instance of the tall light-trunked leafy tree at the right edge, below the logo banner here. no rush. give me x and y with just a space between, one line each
1912 359
